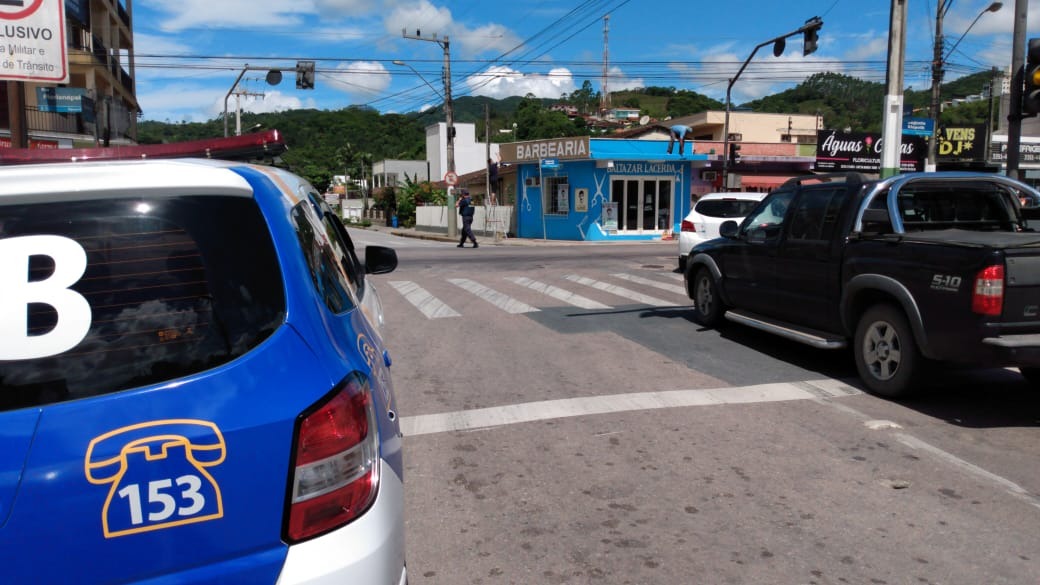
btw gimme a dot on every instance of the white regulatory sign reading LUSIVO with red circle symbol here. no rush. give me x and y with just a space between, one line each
33 41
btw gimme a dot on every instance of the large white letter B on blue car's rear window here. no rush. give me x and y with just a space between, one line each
17 293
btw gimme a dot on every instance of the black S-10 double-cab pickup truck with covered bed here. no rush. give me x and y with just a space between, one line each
913 270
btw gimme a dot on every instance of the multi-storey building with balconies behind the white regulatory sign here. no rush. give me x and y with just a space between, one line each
98 107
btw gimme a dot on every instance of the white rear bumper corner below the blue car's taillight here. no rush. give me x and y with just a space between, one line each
370 550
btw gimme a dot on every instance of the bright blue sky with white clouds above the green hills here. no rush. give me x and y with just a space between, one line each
190 53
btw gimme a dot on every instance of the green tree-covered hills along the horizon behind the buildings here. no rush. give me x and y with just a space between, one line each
327 143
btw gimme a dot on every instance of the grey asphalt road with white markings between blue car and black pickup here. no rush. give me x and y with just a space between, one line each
566 422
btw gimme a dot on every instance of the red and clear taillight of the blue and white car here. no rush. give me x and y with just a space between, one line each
336 474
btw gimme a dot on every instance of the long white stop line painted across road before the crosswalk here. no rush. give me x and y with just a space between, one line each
545 411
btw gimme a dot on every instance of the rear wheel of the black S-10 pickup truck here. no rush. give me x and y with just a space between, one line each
887 353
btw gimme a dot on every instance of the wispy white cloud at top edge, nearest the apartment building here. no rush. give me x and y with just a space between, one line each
211 14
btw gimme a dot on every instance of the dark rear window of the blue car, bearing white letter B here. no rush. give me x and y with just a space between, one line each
171 288
